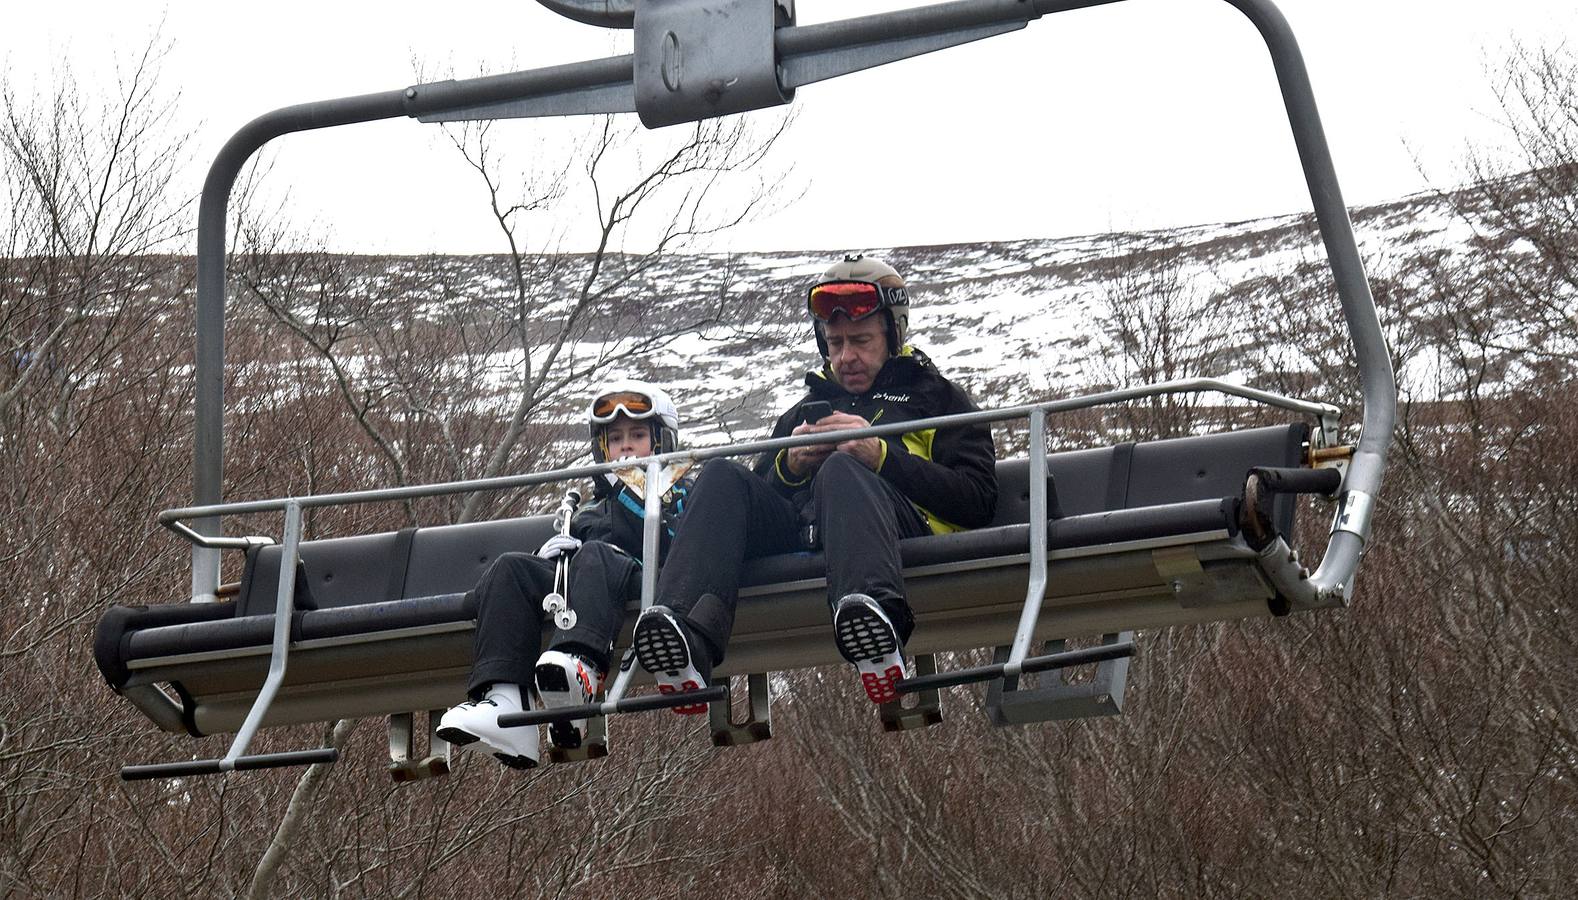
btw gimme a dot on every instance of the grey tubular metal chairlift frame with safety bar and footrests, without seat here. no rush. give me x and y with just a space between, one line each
698 59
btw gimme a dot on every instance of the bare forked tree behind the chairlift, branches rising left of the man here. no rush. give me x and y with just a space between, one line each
447 386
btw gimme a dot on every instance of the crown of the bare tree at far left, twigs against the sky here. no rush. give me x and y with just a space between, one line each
89 208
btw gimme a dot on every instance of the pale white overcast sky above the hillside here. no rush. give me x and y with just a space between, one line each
1140 114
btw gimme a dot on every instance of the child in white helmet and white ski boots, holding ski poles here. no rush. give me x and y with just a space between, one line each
604 544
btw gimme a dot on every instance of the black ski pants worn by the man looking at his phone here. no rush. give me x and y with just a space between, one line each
735 516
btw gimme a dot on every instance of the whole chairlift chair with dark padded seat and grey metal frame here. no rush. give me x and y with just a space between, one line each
1093 542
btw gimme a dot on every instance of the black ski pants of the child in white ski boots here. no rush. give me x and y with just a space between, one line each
510 612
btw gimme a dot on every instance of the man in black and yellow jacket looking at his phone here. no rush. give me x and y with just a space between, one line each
853 500
